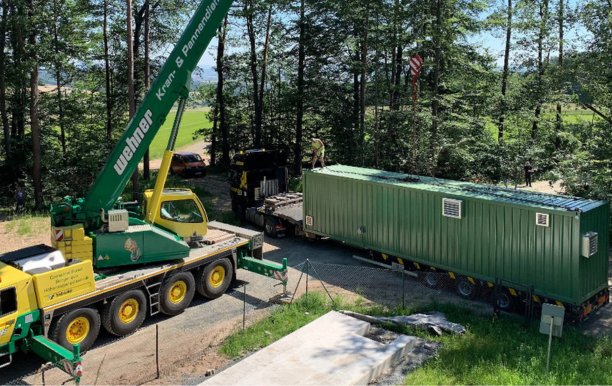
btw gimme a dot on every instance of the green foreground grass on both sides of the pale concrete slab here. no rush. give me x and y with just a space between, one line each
493 351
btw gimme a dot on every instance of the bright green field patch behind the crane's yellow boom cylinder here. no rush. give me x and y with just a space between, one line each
193 120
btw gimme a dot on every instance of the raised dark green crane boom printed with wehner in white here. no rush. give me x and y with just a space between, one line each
173 82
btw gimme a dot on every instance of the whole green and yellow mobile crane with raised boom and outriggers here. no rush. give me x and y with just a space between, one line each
114 262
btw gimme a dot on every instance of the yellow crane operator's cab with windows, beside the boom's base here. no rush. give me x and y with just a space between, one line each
180 212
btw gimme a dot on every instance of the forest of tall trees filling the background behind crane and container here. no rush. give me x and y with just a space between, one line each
73 71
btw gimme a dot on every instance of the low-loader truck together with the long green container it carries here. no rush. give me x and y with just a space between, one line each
515 246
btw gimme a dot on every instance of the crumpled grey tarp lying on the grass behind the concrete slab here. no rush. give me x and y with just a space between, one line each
432 320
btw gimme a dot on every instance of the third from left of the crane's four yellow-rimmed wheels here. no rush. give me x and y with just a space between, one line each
176 293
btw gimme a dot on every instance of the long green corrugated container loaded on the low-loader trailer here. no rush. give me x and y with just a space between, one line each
558 244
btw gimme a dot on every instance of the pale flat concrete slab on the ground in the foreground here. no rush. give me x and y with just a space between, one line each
329 351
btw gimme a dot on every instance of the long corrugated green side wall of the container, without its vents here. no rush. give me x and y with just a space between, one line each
492 239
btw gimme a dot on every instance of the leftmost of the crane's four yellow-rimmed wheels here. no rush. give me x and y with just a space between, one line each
80 326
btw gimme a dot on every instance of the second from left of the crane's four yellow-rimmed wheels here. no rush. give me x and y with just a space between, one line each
125 313
